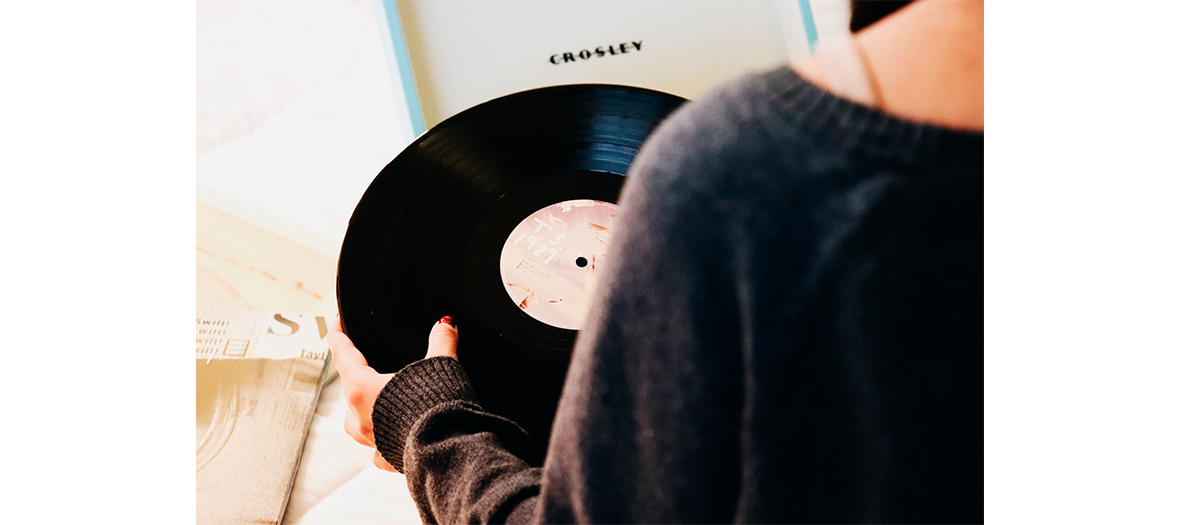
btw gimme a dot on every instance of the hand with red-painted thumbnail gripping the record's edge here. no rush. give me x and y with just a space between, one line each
363 384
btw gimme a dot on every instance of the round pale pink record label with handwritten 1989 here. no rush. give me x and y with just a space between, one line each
550 261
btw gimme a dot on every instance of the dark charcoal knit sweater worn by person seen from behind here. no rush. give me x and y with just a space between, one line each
792 331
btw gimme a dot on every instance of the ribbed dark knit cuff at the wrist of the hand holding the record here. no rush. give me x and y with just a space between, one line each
412 392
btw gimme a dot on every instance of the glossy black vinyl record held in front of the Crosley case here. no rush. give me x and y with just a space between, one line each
429 237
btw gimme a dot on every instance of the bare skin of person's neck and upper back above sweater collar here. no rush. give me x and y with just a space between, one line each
928 60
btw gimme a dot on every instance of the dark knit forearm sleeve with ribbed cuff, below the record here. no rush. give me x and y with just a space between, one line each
462 464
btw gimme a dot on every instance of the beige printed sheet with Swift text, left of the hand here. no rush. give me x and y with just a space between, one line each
259 378
